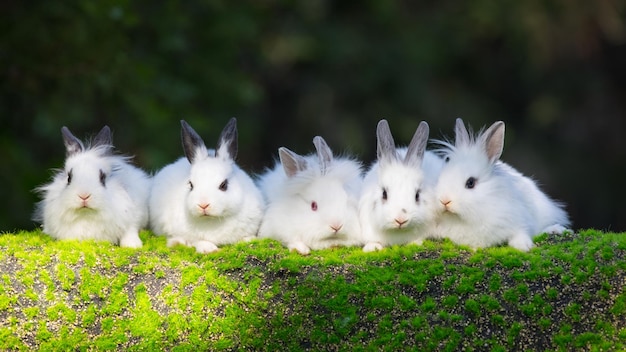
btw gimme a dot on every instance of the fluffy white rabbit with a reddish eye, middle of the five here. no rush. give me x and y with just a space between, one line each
312 200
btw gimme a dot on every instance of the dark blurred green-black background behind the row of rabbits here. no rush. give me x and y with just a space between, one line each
554 71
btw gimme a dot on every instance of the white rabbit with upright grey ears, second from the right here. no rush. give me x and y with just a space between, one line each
397 203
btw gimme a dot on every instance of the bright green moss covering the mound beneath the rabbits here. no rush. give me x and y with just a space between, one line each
566 294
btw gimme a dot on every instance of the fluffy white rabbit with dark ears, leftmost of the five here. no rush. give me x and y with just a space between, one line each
97 195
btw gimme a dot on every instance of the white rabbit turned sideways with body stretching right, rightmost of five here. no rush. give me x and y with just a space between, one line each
484 202
